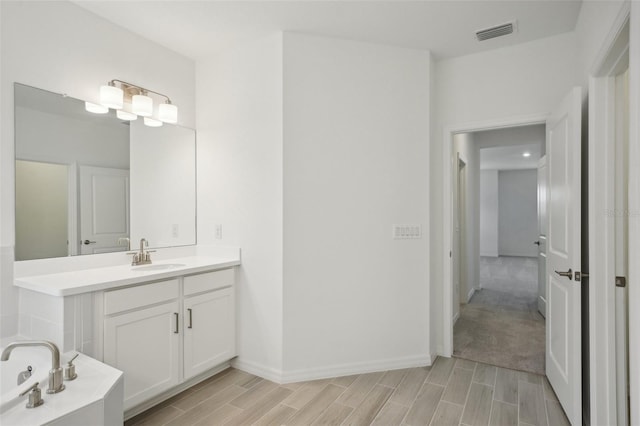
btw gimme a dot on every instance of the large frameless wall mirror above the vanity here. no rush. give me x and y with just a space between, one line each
89 183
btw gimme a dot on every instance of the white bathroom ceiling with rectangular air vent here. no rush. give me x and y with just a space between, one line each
198 29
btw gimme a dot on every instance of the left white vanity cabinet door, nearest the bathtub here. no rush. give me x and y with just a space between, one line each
145 345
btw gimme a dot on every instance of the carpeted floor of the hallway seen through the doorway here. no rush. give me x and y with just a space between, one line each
501 325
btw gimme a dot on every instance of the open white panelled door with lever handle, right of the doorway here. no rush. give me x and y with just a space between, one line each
563 354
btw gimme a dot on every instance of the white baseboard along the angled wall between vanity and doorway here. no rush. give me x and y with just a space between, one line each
302 375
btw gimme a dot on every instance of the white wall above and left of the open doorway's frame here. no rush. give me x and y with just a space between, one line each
504 83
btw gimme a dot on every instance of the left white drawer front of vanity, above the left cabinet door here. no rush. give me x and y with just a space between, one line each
140 296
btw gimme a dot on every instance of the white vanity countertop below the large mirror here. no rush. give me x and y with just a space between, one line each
95 279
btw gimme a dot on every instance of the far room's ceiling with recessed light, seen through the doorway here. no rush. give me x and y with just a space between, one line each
510 157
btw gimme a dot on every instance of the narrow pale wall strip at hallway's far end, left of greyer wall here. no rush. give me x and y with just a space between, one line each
489 213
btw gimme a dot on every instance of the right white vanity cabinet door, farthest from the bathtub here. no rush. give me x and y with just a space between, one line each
209 330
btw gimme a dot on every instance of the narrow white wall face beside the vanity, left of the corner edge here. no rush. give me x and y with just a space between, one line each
240 178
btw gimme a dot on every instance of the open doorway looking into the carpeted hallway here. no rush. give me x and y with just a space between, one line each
497 226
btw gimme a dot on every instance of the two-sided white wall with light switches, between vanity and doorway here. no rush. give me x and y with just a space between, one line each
309 149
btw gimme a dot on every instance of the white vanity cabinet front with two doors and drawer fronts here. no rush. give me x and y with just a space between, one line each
165 333
